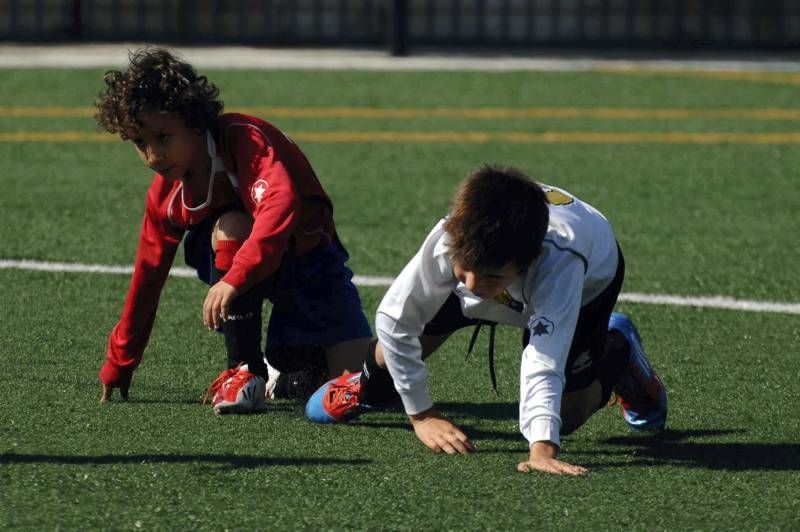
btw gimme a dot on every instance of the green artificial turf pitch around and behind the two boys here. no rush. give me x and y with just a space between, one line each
693 219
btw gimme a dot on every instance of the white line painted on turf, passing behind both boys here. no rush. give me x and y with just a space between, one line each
718 302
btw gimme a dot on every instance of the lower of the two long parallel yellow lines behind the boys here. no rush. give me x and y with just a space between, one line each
474 137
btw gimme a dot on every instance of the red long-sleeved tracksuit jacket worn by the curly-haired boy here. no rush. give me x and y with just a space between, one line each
270 178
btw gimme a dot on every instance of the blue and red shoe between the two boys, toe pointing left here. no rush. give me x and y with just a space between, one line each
336 401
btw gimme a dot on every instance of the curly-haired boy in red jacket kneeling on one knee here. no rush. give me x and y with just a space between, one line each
258 225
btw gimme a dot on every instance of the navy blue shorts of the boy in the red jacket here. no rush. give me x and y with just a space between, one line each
314 300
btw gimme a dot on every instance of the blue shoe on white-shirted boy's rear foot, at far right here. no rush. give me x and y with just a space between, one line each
640 391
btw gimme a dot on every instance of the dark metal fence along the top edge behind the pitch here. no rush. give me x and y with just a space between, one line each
403 24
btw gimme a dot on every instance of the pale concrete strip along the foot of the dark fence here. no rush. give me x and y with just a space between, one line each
227 57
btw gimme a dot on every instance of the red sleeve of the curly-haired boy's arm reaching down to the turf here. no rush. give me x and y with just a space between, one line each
157 245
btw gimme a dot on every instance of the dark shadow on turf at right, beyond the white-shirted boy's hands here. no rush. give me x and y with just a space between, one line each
671 447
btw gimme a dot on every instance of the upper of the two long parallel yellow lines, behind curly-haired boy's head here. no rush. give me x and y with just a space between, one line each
452 112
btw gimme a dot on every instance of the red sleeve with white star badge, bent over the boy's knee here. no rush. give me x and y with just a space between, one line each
269 193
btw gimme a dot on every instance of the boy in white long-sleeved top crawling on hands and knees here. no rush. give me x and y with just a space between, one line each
514 252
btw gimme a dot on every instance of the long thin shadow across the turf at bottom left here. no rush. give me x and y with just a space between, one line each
200 459
